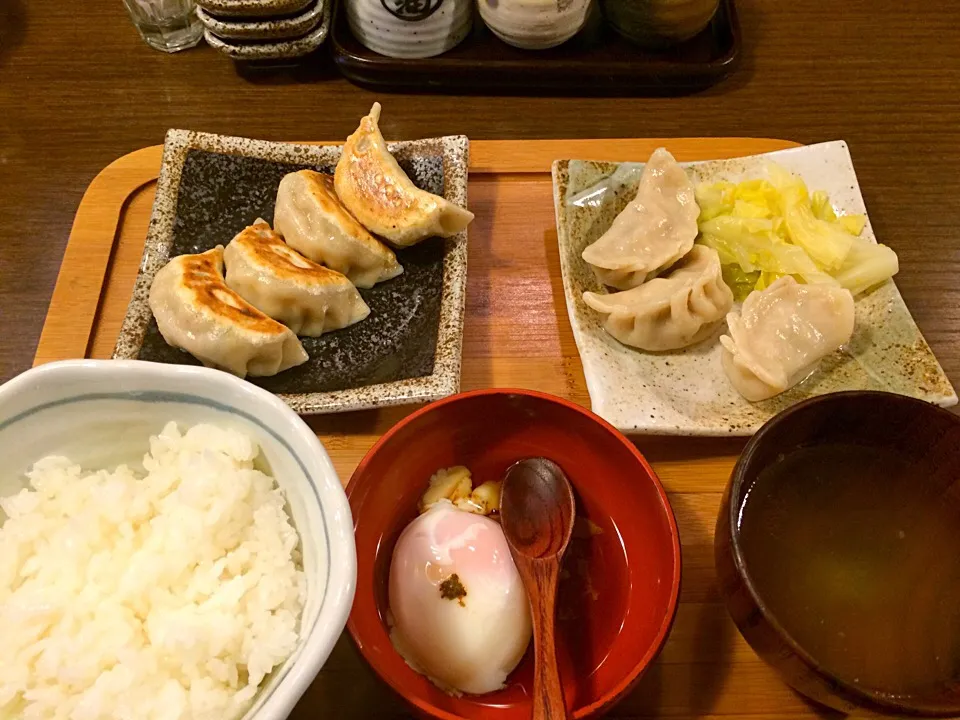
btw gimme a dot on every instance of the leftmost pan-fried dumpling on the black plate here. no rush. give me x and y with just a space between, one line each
196 311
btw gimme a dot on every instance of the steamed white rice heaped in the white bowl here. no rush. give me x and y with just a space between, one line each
169 593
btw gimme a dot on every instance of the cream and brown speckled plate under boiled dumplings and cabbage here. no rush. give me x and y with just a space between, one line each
686 392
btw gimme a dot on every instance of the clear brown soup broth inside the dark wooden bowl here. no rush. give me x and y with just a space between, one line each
859 560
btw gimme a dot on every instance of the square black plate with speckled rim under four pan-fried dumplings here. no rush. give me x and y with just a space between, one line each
408 349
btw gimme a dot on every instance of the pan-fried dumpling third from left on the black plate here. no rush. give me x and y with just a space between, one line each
315 223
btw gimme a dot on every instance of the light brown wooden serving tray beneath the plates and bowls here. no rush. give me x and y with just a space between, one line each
516 335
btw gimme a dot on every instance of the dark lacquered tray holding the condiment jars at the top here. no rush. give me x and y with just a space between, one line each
596 62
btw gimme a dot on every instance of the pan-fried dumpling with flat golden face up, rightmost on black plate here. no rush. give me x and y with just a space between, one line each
381 196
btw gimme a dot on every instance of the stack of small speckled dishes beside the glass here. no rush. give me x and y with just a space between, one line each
264 29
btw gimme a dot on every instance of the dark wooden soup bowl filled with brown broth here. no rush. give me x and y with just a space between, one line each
886 446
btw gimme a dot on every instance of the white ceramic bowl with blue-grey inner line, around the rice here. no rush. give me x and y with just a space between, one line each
102 413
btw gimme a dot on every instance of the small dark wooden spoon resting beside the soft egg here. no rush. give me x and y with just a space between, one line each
536 512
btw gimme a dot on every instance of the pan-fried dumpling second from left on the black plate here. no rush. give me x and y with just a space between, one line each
306 297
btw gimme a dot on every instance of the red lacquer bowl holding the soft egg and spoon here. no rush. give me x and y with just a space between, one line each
619 595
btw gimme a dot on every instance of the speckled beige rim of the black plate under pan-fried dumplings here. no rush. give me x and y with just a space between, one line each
445 378
